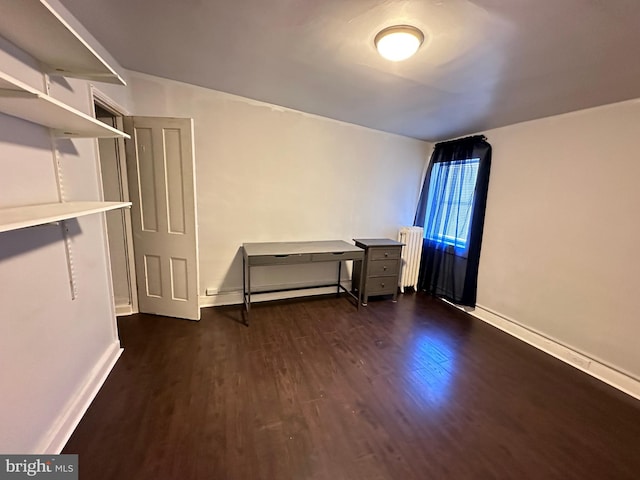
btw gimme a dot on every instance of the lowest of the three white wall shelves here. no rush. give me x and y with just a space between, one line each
29 216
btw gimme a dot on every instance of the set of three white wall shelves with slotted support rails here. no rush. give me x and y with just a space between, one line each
33 26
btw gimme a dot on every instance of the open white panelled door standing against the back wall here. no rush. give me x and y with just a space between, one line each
160 163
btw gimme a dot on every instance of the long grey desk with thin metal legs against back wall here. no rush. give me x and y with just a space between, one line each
288 253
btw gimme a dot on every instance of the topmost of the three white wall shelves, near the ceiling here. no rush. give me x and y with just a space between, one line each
36 28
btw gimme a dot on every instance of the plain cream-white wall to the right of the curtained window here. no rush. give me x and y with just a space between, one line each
559 253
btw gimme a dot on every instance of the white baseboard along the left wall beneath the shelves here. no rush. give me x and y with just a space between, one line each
58 435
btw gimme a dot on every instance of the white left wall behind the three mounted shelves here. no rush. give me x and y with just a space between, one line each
54 351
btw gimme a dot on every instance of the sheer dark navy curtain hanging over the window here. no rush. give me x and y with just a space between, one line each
449 269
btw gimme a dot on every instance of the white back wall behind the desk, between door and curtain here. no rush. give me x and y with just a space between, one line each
266 173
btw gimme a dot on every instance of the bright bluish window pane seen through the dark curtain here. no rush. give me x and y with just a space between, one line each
450 202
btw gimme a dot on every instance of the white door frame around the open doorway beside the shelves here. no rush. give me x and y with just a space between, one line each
104 101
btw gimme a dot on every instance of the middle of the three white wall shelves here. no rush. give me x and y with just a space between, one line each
22 101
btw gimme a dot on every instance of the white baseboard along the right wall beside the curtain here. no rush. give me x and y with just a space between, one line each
618 379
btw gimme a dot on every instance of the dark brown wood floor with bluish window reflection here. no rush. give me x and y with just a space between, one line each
314 389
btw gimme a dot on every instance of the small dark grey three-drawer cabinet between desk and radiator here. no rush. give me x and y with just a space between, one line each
381 269
